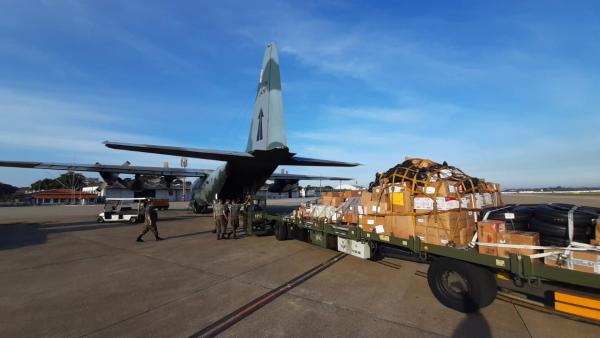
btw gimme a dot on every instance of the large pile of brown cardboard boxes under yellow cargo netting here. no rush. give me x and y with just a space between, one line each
418 198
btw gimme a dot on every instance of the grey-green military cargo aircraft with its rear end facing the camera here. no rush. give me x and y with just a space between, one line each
243 173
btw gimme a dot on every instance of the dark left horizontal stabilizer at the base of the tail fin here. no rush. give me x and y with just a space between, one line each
217 155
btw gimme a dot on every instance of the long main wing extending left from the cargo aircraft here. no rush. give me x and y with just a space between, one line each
121 169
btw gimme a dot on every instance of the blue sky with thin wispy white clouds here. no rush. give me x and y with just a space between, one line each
507 91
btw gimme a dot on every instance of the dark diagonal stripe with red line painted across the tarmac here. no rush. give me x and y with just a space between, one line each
246 310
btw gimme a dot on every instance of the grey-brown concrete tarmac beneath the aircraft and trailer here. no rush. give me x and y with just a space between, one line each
64 275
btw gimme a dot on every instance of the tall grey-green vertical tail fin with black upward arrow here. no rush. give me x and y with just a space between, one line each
267 130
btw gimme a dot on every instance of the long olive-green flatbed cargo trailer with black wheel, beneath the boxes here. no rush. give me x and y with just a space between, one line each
461 278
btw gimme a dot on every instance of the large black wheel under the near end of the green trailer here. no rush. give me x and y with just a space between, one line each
461 286
